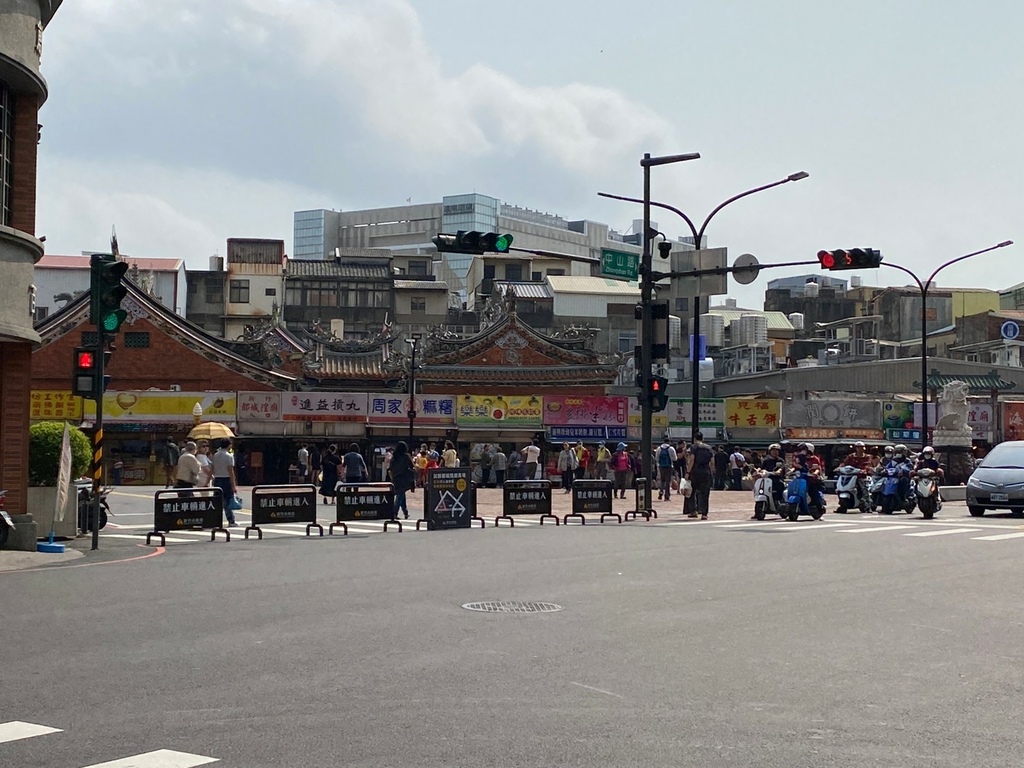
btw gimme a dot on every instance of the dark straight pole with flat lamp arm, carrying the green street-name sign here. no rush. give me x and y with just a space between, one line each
647 326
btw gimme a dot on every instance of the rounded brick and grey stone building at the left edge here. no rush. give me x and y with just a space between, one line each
23 92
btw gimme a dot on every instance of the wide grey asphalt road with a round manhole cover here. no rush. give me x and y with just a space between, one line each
693 645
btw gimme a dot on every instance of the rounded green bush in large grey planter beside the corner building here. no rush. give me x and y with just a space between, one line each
45 465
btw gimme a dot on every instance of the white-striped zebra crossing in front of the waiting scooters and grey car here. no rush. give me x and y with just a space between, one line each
915 529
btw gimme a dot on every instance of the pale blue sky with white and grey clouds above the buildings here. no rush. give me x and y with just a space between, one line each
188 122
